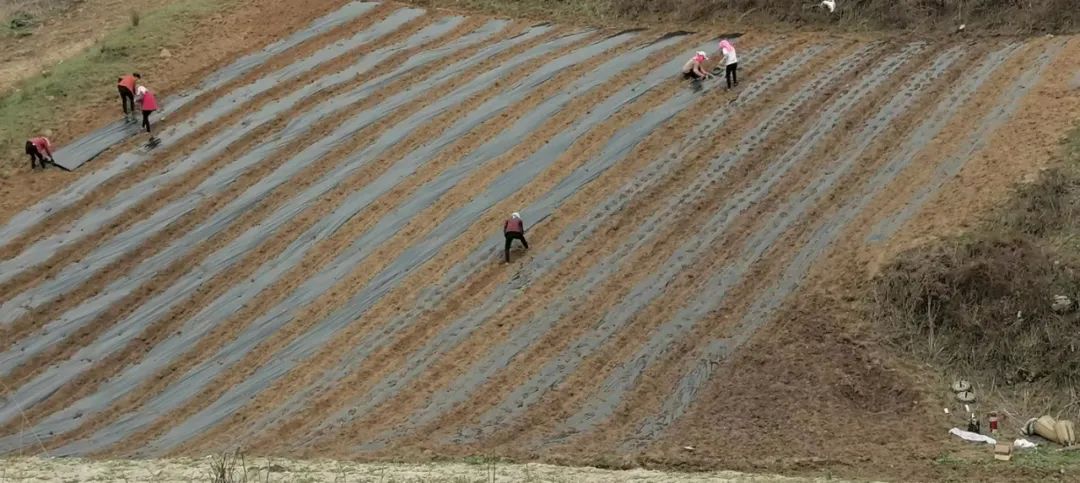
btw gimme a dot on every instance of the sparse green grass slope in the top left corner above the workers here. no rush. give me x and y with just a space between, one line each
37 103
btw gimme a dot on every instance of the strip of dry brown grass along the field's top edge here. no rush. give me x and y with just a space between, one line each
1009 17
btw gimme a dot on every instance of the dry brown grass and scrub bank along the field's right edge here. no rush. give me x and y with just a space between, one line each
983 304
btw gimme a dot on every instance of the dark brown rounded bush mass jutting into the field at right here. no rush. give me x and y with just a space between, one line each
983 306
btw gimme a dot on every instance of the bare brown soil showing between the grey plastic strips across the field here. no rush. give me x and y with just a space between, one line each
813 392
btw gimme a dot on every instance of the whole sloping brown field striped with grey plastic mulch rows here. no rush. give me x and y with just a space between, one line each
312 261
